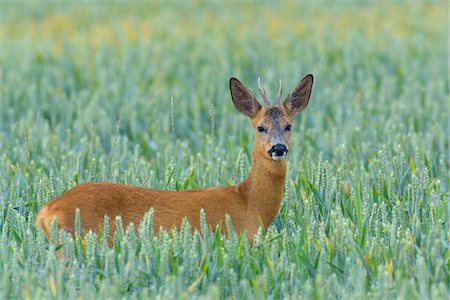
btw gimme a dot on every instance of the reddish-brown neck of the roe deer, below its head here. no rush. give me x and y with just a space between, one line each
263 188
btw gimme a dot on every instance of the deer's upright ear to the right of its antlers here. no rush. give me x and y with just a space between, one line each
298 98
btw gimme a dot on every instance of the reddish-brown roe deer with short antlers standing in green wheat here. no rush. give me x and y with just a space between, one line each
253 202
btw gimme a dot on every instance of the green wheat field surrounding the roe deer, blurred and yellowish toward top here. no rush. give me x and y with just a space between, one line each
138 93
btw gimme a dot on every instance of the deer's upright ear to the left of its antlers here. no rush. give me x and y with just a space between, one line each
244 101
